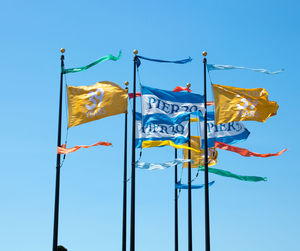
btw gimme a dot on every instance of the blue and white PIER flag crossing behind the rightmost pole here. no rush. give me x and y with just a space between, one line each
229 133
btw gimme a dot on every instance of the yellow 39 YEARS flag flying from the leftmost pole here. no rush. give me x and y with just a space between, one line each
89 103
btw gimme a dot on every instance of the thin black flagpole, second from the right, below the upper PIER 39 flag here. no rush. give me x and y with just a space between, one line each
190 193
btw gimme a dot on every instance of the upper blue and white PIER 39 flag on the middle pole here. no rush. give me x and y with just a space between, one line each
167 107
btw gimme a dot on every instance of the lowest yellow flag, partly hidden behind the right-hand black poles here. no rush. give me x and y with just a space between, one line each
198 157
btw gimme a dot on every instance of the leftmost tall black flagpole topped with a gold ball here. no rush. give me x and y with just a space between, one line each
56 206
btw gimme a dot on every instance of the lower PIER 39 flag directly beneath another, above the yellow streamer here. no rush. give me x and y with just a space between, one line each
178 133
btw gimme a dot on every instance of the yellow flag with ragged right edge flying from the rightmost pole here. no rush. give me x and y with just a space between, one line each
238 104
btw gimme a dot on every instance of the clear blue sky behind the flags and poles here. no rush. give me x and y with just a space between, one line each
244 216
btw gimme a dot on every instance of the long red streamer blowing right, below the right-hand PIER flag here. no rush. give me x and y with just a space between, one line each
245 152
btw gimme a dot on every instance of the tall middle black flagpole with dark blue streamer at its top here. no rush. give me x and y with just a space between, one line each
132 214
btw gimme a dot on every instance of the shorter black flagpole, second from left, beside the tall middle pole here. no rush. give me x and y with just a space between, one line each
125 183
